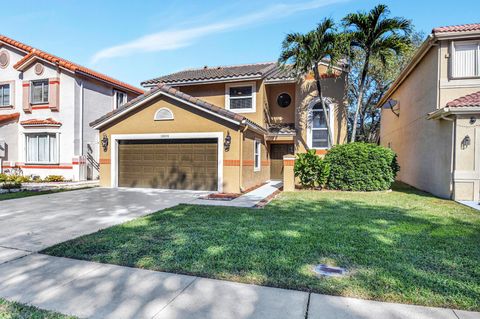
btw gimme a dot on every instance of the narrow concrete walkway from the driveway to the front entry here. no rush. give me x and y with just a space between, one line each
249 199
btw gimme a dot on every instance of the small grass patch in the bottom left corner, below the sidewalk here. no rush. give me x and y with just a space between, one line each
15 310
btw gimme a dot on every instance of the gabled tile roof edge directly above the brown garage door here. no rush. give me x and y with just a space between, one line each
182 96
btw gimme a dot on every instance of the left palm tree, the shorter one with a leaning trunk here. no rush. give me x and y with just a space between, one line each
306 51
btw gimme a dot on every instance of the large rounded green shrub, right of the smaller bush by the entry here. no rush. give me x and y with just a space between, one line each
361 167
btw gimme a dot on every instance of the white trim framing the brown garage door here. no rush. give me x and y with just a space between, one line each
165 136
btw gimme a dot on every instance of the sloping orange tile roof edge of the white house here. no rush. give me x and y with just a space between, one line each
33 52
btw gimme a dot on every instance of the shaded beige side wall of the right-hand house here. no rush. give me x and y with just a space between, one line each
424 147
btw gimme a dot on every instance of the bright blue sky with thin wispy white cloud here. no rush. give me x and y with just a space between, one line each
138 40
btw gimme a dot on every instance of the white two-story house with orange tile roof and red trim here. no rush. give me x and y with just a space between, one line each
46 105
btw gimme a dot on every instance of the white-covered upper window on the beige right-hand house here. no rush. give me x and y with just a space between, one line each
466 59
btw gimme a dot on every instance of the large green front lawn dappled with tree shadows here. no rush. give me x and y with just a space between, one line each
401 246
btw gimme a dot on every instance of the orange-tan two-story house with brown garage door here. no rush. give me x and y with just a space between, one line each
223 129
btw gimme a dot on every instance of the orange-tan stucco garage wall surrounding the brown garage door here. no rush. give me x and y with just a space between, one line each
189 120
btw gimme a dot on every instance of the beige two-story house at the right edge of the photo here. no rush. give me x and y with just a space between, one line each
431 115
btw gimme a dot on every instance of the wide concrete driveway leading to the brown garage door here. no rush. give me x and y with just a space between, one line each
34 223
